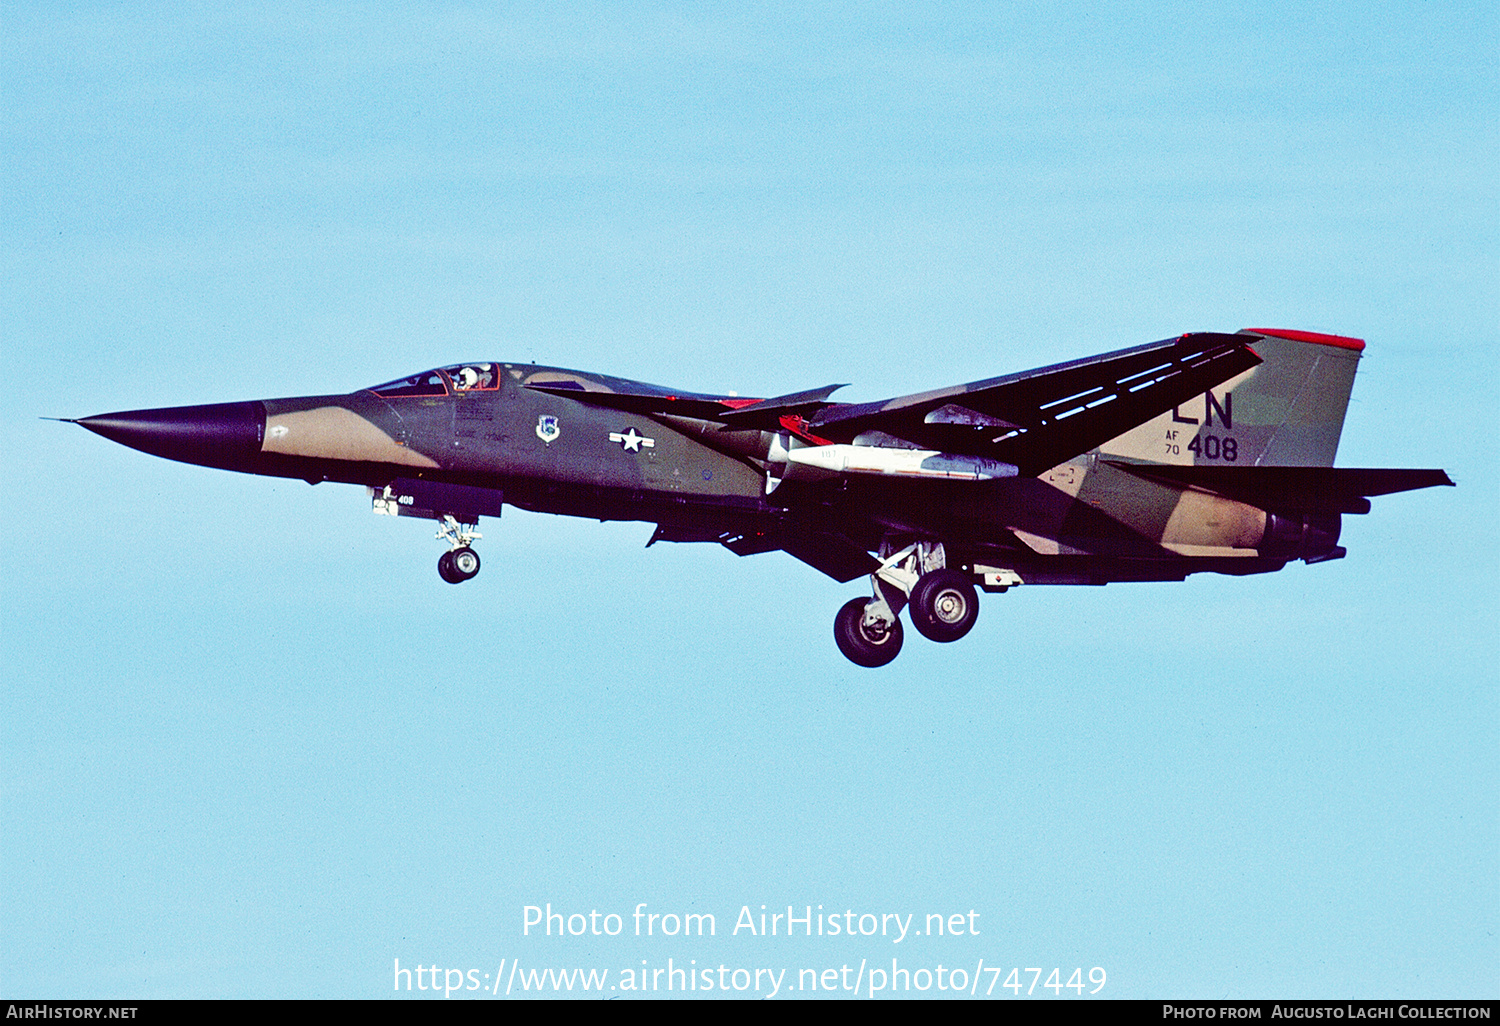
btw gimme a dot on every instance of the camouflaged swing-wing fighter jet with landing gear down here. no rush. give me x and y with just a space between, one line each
1201 454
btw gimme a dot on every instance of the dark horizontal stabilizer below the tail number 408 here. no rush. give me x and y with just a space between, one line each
1303 490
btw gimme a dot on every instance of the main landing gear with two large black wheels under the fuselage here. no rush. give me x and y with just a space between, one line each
944 605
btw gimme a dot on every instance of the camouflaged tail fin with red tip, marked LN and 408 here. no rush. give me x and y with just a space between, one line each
1288 412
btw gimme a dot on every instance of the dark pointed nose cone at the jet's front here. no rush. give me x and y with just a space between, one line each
226 434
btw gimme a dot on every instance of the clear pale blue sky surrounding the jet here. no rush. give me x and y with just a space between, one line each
254 746
